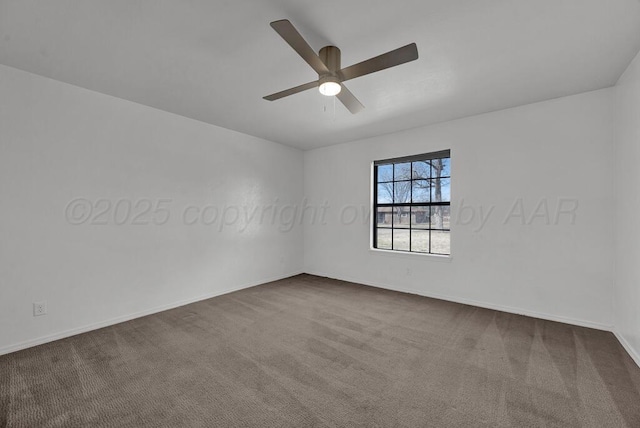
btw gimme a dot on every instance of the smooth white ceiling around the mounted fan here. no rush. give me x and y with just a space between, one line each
214 60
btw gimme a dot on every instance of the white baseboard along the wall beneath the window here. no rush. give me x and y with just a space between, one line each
509 309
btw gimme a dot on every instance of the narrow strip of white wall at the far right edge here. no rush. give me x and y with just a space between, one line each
627 180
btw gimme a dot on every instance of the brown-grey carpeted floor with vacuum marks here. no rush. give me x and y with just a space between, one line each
309 351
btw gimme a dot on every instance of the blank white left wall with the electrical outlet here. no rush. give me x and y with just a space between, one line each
59 142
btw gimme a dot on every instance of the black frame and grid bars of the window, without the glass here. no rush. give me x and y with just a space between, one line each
425 157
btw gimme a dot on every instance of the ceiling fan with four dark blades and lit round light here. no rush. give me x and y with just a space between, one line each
331 77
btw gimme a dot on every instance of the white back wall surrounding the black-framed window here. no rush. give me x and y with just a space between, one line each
549 151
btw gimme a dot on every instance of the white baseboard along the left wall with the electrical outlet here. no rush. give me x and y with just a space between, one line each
106 323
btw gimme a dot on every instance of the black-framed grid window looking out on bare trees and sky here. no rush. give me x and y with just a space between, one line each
412 203
